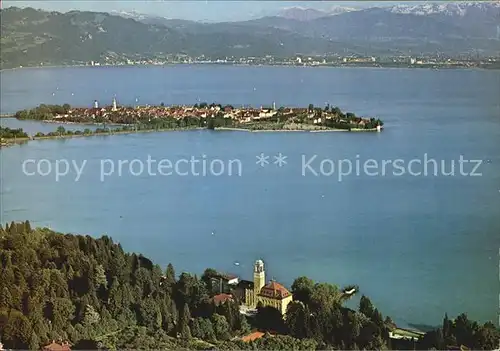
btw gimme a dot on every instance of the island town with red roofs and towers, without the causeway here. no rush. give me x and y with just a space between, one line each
205 115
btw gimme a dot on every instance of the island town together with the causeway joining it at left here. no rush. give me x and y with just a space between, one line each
116 119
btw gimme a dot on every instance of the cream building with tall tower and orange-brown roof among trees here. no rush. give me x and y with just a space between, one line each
272 294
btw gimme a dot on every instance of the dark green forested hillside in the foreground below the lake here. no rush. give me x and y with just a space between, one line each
91 293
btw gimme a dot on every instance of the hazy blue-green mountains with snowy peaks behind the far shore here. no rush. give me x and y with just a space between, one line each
31 37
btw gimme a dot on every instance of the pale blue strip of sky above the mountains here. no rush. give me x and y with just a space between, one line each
201 10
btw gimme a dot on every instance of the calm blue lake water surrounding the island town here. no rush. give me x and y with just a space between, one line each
418 246
